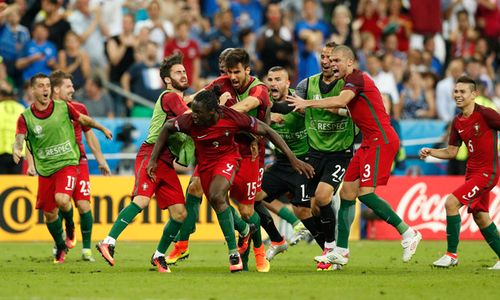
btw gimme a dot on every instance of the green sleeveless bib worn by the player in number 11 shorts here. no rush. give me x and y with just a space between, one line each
52 140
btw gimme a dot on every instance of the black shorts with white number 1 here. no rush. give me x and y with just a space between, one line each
281 178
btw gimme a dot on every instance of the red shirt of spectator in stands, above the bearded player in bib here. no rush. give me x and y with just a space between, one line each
190 52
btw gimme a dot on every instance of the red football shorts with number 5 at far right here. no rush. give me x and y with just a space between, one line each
475 192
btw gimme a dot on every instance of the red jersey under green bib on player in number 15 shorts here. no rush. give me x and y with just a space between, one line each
260 92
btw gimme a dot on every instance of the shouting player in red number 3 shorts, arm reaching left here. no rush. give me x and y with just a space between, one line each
371 164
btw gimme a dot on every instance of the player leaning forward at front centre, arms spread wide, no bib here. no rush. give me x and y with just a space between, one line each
213 129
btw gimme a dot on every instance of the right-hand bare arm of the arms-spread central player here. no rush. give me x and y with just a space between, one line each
298 165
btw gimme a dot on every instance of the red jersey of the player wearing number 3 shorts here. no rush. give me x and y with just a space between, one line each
367 109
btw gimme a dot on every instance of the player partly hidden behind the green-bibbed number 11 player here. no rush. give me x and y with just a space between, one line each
62 89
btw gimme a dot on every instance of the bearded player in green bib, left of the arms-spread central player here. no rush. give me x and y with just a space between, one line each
166 186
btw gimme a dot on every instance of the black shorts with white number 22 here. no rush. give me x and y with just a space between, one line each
329 168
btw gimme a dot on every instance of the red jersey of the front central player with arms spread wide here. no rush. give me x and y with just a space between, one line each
218 141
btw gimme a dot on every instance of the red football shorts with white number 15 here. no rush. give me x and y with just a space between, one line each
244 188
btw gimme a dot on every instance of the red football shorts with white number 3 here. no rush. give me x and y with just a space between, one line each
372 164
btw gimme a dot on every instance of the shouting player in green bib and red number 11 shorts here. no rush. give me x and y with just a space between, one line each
47 127
